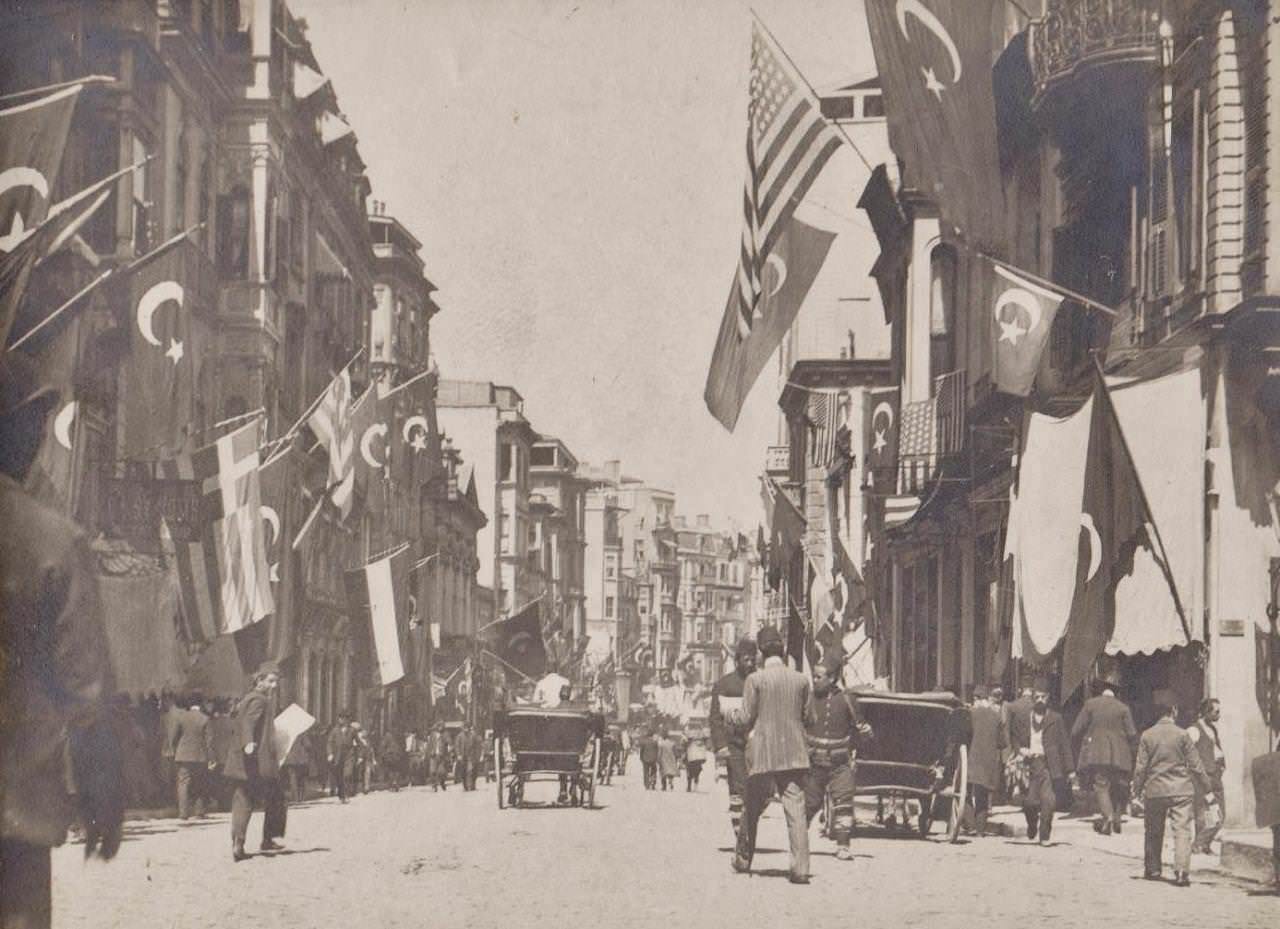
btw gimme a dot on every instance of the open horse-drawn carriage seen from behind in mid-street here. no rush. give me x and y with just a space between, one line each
541 744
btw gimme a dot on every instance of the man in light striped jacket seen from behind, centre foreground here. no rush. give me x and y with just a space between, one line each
778 759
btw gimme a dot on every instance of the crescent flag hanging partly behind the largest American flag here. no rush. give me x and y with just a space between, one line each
739 359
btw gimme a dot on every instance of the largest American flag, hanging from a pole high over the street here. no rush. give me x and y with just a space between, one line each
788 144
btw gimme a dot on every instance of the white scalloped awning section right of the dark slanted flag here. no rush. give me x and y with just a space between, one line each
1164 427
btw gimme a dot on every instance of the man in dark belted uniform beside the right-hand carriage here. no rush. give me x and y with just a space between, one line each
833 727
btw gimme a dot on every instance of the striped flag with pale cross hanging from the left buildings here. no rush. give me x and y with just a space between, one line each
223 576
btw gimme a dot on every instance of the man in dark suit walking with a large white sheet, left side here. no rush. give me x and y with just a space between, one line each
253 766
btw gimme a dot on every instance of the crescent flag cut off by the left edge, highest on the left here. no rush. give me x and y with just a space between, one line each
33 138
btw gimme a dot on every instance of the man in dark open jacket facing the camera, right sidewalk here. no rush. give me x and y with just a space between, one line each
1041 740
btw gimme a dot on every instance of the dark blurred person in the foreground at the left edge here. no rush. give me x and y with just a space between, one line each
56 678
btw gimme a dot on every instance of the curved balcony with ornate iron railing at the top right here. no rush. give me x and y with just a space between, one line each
1077 36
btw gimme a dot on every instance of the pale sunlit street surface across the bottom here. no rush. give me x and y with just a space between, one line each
423 859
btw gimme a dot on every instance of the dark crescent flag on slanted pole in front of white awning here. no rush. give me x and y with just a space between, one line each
1113 523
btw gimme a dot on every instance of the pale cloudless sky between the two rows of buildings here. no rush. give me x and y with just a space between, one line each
575 173
